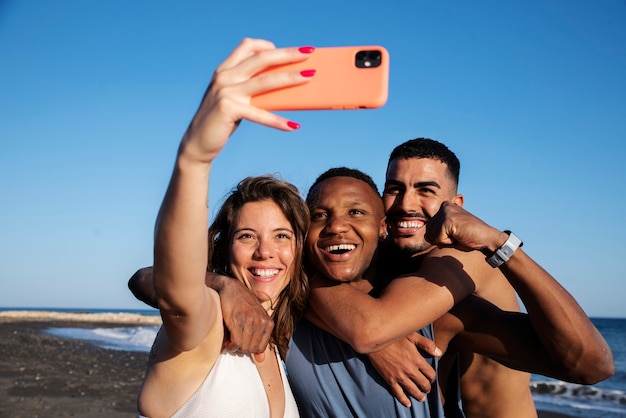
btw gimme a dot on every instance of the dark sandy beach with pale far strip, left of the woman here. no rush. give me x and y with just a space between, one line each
45 376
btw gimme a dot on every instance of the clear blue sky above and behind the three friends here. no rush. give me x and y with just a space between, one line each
94 97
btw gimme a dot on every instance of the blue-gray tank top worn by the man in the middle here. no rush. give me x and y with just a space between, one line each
329 379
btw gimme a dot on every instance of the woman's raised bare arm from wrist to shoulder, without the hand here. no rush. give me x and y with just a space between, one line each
188 308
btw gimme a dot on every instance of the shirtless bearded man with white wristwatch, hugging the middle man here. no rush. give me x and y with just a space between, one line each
420 190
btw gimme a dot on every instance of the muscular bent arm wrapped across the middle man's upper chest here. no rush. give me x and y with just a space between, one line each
407 304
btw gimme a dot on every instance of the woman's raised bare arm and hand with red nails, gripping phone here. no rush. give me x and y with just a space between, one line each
188 307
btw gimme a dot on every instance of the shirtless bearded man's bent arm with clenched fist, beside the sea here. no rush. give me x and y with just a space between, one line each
556 328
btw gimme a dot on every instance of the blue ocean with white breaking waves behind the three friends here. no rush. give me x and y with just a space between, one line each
606 399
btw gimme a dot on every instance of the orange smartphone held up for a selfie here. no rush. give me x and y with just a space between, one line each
347 77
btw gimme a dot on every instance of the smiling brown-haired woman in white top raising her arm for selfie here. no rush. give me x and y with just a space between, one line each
257 237
